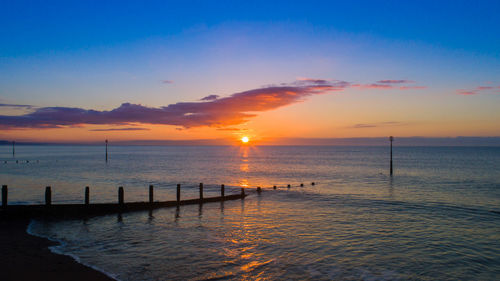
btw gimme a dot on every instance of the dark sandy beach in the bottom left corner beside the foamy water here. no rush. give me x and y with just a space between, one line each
27 257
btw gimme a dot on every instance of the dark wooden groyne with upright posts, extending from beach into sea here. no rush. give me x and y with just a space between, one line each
50 210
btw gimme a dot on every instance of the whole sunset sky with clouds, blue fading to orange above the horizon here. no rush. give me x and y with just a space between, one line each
187 70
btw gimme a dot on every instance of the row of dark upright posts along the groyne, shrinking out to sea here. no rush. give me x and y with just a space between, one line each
121 193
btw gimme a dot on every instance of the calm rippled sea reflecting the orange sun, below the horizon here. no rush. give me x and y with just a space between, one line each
437 218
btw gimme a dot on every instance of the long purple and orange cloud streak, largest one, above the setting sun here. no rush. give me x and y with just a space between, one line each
233 110
